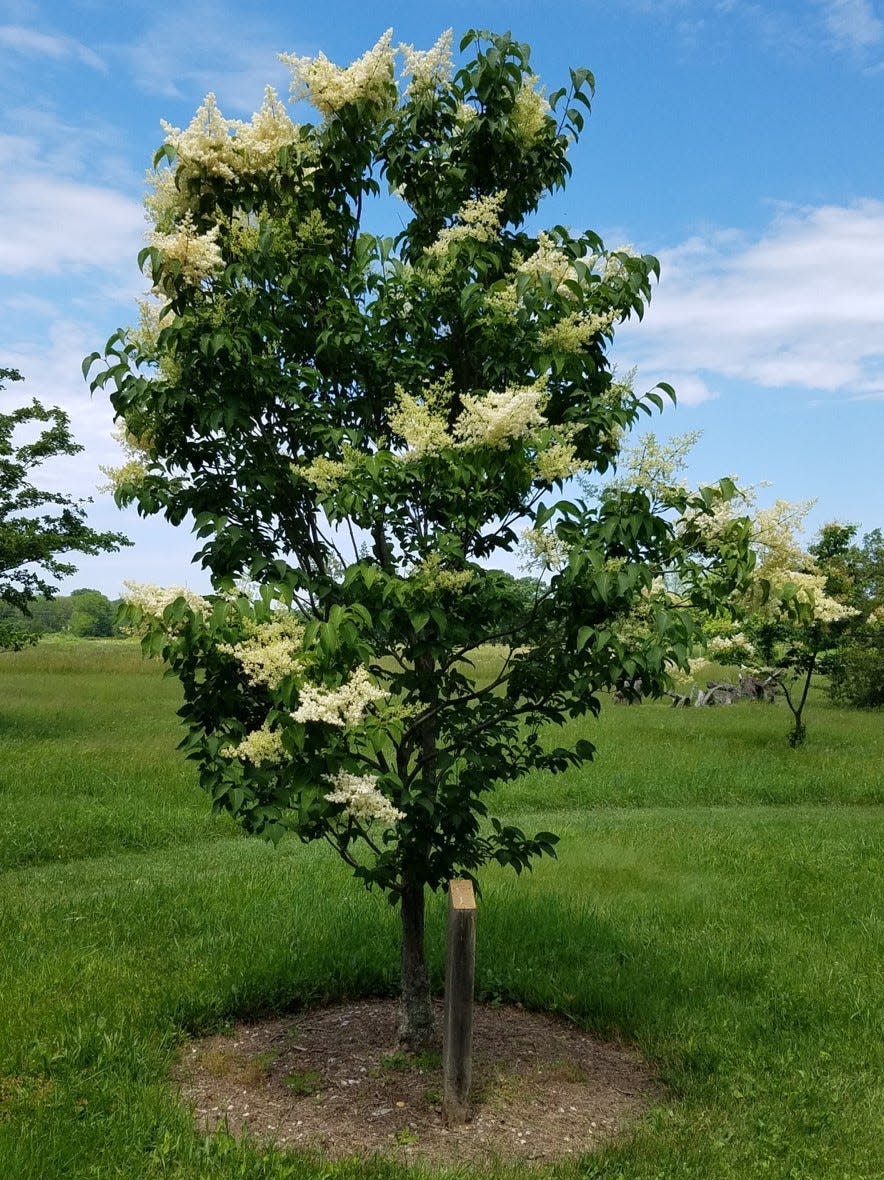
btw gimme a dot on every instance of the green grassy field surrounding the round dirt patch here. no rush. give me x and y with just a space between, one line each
718 902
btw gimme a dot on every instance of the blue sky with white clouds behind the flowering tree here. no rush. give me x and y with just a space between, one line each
739 142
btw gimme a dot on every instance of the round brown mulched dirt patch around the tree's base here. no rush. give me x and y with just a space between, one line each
332 1080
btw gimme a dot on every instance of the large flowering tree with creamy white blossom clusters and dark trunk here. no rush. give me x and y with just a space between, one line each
358 425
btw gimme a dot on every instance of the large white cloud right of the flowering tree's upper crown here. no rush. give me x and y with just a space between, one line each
801 307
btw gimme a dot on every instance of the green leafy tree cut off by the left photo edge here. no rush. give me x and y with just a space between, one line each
34 541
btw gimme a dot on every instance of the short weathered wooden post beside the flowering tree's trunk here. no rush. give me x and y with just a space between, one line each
460 974
